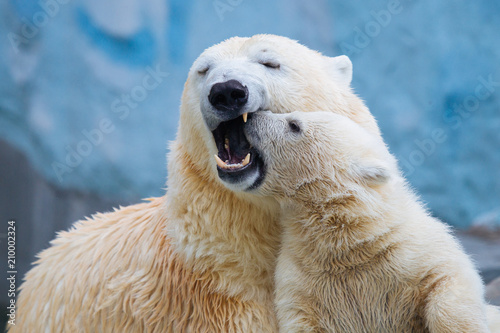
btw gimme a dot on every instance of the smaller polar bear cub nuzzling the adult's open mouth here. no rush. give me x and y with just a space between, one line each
359 252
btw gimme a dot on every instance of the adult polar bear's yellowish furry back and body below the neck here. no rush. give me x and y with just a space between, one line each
122 276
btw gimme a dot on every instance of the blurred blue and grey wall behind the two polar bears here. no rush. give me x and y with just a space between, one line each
90 92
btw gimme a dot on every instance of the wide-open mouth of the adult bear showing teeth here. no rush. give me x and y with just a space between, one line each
237 161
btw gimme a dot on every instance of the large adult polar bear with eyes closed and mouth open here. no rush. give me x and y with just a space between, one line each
201 258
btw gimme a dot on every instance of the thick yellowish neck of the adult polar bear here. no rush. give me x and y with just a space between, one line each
218 231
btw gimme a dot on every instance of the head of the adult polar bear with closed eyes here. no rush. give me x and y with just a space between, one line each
240 76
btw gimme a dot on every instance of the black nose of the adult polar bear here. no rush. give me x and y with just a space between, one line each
228 96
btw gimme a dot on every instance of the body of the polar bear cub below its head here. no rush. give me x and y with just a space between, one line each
400 278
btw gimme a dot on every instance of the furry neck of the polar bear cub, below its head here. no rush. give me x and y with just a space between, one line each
331 233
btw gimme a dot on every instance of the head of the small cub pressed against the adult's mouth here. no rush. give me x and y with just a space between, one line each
312 156
